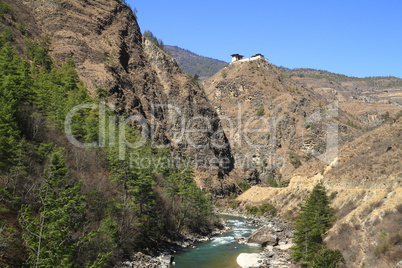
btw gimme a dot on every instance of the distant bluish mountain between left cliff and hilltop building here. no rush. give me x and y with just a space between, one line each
195 64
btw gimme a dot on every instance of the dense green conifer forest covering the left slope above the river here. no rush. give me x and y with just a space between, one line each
79 207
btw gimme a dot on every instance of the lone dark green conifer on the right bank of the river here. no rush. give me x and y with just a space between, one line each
312 224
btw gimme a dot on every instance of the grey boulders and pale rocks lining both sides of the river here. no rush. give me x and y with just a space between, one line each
274 235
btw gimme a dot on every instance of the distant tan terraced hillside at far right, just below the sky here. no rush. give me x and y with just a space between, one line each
371 100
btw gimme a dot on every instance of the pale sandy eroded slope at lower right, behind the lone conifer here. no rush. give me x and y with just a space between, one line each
365 185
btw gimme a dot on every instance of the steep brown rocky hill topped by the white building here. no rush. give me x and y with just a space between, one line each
274 124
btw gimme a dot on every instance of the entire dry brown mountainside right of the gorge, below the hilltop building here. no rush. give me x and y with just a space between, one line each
285 130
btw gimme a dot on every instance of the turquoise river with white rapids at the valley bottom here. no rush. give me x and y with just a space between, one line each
222 251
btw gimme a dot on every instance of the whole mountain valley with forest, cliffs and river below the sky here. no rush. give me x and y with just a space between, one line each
113 153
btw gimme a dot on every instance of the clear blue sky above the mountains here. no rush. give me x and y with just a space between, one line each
356 38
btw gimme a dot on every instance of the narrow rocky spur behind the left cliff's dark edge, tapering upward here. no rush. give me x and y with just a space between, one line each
188 108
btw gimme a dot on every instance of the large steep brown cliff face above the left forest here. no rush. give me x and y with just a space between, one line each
105 41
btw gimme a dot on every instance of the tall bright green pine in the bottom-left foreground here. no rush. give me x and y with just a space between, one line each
49 236
